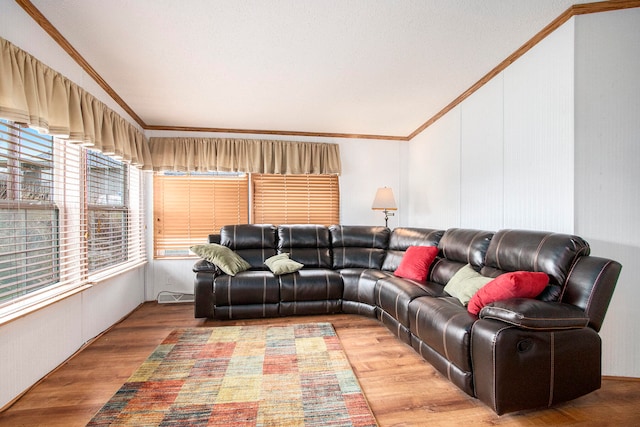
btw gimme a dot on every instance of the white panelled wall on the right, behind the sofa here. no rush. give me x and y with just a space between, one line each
510 151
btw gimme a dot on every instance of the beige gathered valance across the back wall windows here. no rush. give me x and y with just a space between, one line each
244 155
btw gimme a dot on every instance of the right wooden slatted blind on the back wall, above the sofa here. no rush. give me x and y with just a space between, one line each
295 199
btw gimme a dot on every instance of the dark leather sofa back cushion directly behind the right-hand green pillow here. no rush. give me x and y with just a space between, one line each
459 247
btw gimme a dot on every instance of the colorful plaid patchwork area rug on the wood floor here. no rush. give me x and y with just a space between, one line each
294 375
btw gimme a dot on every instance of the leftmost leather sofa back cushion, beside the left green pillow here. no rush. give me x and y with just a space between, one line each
253 242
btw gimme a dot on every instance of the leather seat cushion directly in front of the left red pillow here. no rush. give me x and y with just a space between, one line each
393 295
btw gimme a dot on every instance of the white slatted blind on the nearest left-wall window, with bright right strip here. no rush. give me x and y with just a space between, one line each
40 219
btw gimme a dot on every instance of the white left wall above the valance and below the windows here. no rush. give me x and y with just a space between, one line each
33 345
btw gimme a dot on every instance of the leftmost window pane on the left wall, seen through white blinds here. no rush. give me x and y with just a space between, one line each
29 257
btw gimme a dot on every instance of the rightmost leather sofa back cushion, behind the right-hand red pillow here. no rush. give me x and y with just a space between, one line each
527 250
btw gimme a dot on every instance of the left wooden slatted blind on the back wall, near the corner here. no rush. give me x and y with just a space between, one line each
189 207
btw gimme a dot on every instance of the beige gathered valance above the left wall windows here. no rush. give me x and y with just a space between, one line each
36 95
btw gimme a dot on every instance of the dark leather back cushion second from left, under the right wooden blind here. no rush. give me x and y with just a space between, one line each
308 244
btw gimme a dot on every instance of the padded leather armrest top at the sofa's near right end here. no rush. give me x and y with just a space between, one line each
535 314
